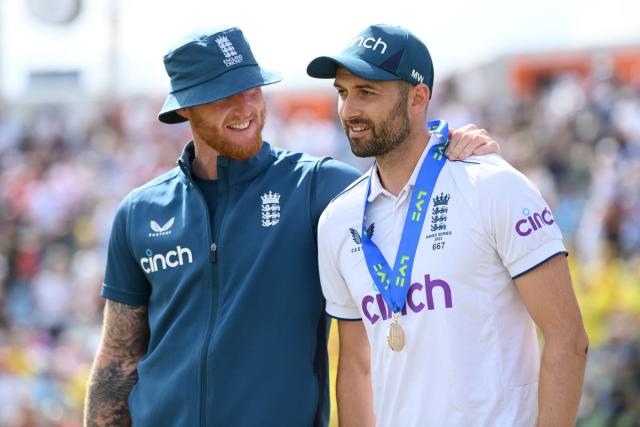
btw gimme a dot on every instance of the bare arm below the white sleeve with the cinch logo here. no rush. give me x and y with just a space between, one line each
548 295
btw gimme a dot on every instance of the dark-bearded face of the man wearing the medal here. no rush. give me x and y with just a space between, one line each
373 114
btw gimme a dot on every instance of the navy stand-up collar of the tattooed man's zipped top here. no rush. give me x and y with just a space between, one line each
233 170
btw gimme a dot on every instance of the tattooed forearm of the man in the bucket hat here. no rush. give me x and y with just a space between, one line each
125 337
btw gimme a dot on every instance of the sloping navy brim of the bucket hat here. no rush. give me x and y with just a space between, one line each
233 81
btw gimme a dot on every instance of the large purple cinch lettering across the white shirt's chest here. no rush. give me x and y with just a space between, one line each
375 307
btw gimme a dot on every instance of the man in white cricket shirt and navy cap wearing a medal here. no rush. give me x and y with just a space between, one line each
447 340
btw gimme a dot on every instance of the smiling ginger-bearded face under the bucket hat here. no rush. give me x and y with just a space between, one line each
231 126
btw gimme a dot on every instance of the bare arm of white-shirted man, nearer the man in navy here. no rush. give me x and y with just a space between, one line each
353 385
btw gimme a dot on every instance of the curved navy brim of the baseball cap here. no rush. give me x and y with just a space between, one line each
325 67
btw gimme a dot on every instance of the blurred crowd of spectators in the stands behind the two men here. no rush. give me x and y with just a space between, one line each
64 168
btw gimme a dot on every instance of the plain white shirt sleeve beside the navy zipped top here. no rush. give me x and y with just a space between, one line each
340 304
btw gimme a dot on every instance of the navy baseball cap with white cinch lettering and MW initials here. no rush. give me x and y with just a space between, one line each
380 52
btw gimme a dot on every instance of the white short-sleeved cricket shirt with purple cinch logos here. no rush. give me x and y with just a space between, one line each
471 356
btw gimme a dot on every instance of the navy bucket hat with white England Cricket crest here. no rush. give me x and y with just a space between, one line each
210 65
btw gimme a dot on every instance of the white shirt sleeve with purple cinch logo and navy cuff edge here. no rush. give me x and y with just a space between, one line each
520 221
